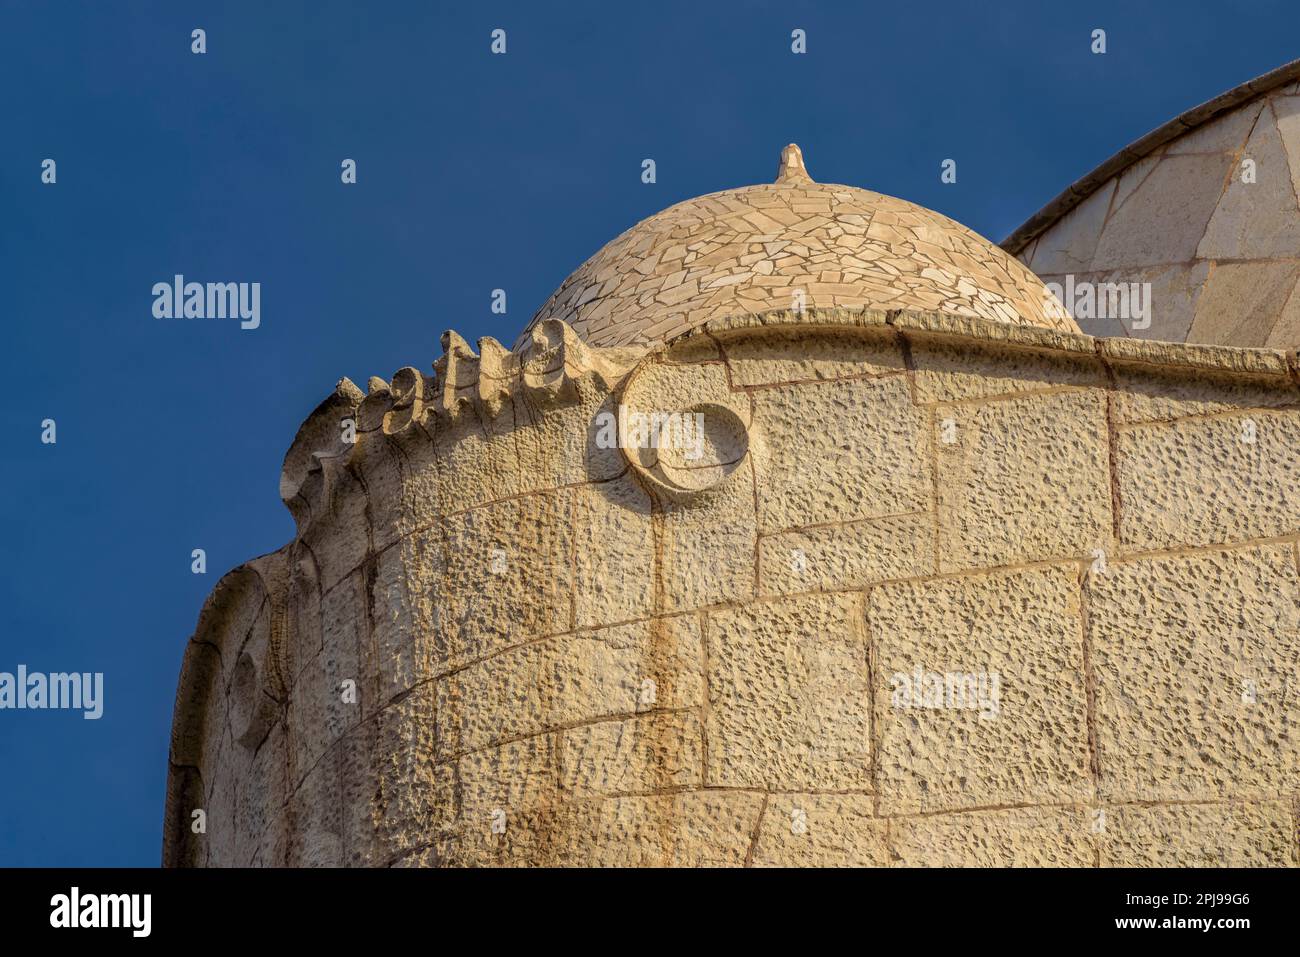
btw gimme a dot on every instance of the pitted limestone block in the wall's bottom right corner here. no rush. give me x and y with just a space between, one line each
1199 835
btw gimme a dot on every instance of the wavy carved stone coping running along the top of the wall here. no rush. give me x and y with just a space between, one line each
553 363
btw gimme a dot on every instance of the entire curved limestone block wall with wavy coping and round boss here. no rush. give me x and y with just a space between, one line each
570 656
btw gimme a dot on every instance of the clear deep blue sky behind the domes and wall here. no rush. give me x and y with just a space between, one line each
475 172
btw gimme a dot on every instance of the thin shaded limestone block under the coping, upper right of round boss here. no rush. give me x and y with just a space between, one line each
786 356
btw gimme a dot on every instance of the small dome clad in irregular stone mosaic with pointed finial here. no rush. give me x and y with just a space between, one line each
759 249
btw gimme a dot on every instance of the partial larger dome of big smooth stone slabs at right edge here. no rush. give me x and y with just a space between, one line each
1201 218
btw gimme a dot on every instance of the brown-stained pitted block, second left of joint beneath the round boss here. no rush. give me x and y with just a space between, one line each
509 575
